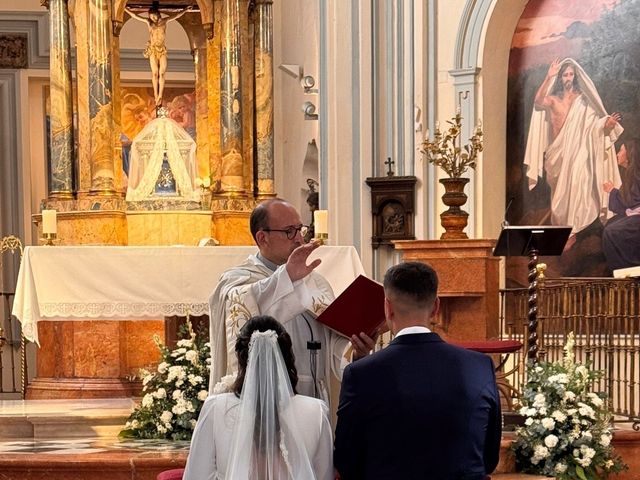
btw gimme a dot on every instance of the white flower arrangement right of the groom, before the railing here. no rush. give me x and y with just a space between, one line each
567 427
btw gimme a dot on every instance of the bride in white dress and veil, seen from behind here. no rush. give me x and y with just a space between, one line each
262 430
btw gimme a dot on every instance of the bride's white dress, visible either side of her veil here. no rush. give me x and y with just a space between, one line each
211 442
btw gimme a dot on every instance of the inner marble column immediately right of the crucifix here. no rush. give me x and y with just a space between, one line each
232 179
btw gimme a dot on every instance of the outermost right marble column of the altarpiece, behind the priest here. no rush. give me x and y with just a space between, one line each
264 97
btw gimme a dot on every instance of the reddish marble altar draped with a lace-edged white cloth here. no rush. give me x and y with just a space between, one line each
94 310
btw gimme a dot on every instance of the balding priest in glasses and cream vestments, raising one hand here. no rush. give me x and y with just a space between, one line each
277 281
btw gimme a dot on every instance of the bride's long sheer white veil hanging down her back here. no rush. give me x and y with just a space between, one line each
266 444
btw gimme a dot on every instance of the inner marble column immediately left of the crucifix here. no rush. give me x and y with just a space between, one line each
100 99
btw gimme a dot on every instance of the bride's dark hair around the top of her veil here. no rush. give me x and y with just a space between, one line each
262 323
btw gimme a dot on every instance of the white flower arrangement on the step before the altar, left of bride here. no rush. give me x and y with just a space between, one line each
173 395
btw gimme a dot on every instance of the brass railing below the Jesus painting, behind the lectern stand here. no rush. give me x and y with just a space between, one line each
603 313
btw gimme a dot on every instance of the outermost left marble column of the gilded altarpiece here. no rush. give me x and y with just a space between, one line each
61 168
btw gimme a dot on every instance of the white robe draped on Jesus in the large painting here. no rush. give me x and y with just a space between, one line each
578 161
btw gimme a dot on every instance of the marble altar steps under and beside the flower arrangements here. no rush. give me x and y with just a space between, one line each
78 439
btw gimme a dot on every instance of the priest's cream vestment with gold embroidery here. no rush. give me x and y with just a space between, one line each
252 289
